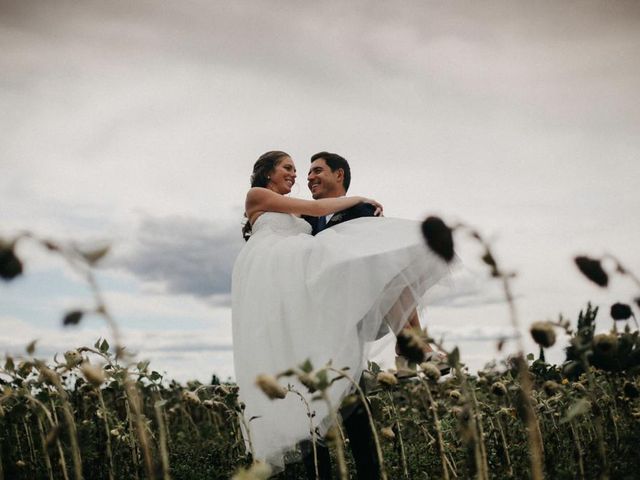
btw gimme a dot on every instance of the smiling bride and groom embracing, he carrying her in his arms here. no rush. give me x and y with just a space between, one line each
318 280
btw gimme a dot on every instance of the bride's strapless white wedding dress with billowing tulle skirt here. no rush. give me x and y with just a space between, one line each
323 298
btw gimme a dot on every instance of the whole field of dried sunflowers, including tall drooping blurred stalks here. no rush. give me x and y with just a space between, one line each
98 413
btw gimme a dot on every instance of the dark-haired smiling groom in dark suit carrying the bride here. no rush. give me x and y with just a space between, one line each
329 177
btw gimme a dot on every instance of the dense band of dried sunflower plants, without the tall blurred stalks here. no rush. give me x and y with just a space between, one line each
73 419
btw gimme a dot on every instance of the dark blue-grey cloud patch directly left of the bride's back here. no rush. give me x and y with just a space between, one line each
186 255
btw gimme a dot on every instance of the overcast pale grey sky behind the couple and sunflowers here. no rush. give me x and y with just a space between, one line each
137 123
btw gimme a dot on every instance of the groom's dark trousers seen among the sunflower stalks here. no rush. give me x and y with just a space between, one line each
363 449
